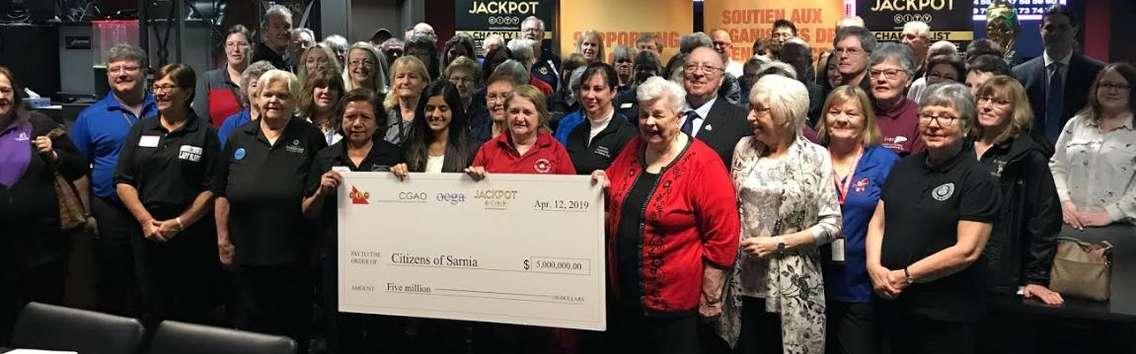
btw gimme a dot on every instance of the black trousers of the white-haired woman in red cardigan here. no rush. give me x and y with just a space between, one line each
637 334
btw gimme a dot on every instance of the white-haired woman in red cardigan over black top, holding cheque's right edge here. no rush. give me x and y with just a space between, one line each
673 230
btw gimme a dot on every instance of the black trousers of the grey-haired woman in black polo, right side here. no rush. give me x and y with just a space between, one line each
906 334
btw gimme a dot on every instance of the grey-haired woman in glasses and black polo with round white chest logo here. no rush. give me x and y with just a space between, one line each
929 232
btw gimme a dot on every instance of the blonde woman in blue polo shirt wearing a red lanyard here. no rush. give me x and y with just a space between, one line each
861 167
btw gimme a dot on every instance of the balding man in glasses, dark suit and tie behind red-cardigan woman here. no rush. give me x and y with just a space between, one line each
707 117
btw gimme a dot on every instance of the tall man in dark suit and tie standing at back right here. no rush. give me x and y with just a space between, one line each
1058 81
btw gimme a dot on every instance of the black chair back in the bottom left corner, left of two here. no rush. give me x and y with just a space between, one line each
59 328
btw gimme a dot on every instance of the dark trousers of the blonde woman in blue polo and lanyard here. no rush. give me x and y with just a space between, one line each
853 328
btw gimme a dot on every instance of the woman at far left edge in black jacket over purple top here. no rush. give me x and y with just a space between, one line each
34 248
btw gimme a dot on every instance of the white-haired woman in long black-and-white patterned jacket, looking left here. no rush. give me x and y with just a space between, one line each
775 299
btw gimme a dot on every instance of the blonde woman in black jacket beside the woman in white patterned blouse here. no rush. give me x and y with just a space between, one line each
1022 245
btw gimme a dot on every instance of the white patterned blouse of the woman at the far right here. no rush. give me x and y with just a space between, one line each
1098 171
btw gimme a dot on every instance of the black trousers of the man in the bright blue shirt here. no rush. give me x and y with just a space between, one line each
115 288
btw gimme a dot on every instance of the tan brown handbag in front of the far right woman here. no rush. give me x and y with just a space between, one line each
1082 269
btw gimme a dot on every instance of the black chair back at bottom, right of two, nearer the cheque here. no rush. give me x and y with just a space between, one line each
185 339
